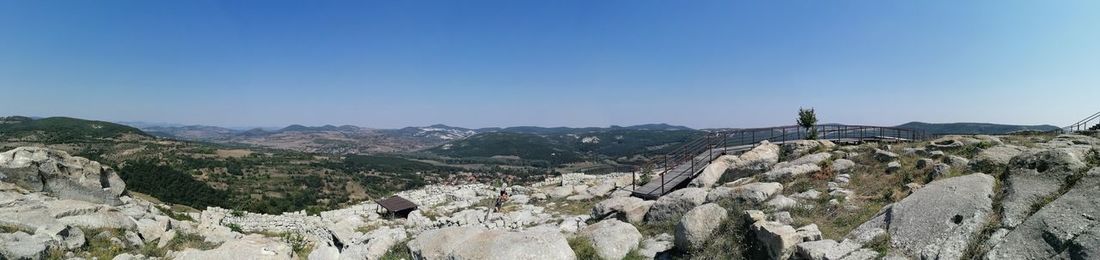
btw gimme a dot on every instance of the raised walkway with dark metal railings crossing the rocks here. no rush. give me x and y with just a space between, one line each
678 168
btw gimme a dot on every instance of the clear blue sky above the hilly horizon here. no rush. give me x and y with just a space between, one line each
701 64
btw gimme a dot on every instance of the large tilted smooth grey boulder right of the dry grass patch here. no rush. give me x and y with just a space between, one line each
939 221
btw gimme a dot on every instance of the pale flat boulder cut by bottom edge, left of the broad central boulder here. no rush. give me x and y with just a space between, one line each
248 247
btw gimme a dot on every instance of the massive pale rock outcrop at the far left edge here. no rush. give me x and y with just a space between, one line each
61 175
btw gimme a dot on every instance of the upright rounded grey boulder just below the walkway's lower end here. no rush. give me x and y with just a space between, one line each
696 229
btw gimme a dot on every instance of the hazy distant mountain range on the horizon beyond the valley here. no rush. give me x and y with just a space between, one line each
351 139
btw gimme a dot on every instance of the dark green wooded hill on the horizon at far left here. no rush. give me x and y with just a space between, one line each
62 129
